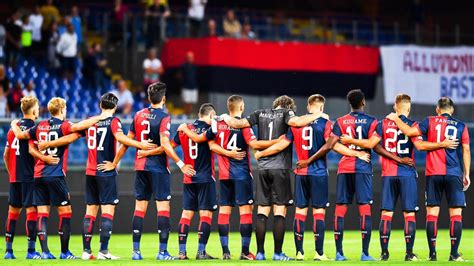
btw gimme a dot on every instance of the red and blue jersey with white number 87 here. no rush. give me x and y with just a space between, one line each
102 145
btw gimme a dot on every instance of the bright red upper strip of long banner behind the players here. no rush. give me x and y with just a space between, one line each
273 56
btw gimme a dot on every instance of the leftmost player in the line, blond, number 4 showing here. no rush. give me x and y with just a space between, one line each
20 167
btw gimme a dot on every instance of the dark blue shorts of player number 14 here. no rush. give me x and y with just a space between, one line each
236 192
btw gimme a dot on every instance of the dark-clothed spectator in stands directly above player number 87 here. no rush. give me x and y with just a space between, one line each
94 67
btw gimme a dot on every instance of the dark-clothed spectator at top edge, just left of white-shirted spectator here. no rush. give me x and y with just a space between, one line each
154 14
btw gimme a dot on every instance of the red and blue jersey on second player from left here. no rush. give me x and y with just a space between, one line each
49 130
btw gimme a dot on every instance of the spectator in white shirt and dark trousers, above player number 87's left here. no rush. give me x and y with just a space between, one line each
67 50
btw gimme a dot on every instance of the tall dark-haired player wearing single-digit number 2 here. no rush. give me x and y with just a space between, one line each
152 124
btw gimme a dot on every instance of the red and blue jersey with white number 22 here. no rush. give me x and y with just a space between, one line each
394 141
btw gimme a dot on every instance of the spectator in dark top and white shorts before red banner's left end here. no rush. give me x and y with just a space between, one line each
189 91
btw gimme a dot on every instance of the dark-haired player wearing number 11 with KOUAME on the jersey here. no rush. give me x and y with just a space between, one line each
354 176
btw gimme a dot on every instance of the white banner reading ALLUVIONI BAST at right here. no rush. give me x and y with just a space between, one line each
428 73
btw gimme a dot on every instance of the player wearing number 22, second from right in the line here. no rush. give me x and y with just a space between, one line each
399 180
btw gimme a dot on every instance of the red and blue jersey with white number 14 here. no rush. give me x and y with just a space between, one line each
231 139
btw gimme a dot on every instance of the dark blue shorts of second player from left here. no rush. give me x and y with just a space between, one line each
51 190
